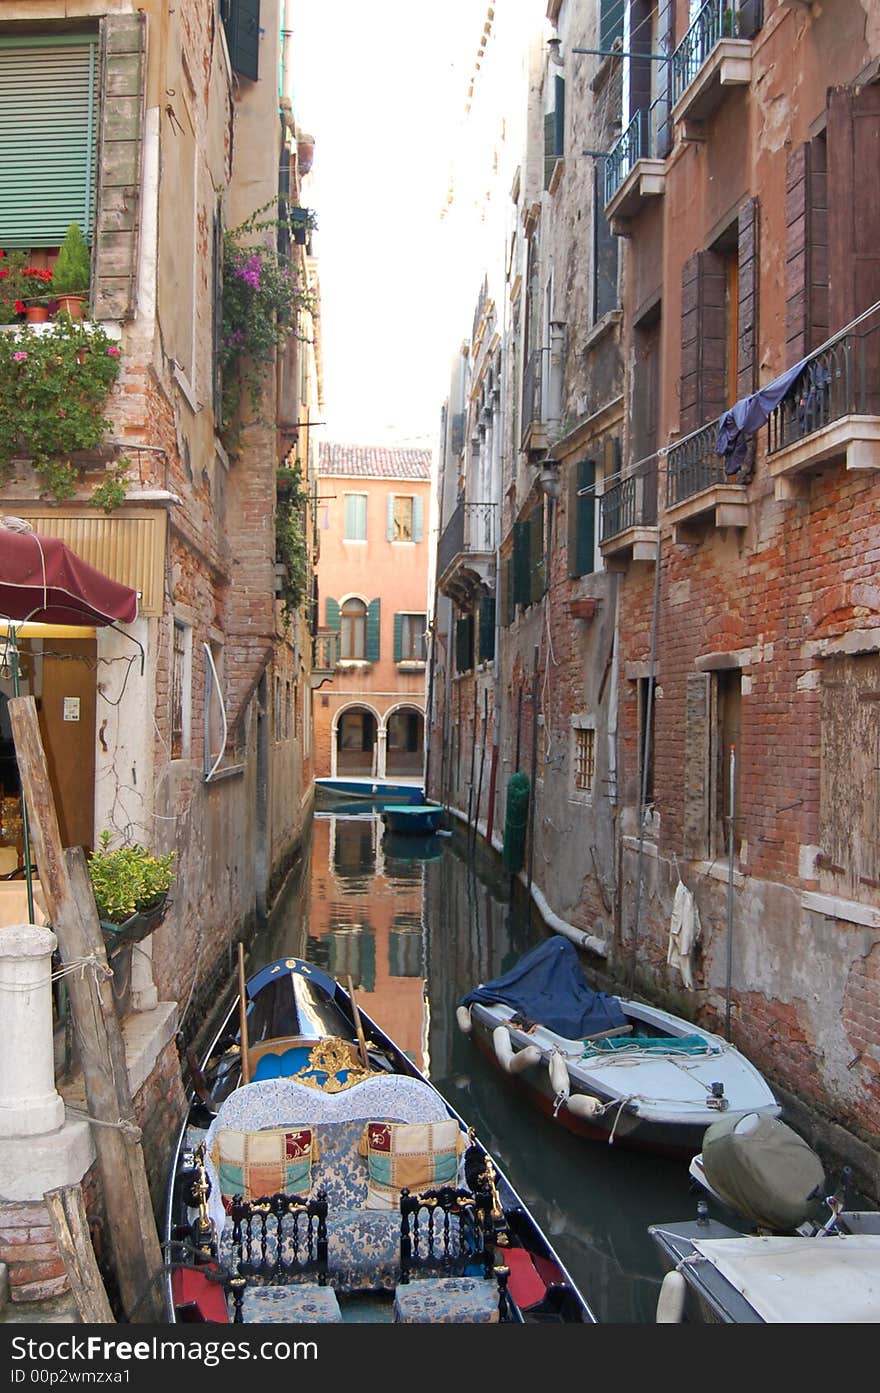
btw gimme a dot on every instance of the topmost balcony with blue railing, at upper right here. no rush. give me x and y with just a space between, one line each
715 55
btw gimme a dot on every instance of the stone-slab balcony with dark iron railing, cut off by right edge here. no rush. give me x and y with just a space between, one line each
831 413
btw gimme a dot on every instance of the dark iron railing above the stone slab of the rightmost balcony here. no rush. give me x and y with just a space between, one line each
839 381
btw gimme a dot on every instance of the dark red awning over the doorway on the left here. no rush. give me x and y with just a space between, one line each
44 582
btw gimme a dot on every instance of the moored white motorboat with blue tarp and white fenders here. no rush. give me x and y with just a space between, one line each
606 1068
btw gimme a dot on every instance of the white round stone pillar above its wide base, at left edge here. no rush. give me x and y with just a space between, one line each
30 1105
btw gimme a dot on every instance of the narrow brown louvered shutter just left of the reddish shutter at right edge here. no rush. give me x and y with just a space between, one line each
807 250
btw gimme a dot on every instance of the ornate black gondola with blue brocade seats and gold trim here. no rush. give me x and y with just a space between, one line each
321 1178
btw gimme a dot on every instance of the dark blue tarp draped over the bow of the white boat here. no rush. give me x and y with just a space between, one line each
548 987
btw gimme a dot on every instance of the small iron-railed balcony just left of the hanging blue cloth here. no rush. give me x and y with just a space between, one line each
698 494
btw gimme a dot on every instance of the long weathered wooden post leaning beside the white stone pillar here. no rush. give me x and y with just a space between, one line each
70 905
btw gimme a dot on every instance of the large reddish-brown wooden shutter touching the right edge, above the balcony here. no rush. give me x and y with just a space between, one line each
854 201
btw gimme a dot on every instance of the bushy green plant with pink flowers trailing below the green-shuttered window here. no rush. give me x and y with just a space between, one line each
54 391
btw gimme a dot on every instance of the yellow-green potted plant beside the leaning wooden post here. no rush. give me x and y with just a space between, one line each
132 889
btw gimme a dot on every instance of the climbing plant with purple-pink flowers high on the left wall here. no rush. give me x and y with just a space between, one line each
264 297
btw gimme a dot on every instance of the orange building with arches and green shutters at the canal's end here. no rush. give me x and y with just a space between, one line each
372 584
